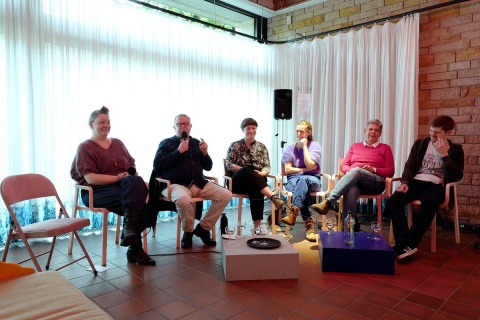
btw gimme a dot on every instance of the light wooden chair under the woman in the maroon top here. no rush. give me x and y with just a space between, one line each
78 205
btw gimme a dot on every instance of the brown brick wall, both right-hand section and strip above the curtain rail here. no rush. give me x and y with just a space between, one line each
449 79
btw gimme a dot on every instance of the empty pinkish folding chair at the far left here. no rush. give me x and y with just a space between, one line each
18 188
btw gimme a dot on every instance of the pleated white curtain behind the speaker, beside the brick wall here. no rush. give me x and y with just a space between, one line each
353 77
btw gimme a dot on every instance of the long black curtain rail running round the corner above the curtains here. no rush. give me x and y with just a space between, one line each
260 40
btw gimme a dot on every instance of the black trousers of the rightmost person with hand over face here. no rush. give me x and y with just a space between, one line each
430 194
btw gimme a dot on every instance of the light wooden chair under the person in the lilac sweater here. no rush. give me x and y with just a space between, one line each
327 181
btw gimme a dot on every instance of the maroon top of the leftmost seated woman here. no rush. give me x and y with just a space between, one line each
92 158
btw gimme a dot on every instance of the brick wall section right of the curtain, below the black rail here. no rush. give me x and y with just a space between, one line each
449 83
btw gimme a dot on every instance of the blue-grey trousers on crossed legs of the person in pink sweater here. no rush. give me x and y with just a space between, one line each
356 182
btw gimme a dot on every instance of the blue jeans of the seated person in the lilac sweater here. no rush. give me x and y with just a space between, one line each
301 186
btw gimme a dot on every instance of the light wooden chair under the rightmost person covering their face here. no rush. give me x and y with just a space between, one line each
452 186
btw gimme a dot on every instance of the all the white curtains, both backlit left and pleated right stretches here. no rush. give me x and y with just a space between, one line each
64 59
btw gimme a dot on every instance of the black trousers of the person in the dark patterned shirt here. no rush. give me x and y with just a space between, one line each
247 181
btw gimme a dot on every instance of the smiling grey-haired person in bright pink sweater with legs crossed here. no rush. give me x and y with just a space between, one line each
365 167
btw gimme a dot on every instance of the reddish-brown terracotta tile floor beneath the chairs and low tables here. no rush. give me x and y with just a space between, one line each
189 284
